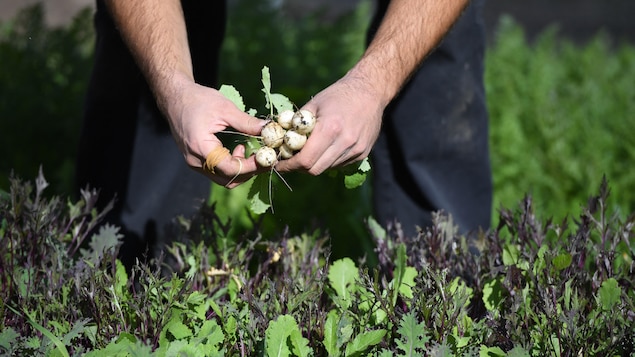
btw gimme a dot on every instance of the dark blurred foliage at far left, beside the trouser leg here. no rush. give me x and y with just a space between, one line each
43 77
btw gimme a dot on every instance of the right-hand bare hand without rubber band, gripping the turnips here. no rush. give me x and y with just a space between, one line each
349 114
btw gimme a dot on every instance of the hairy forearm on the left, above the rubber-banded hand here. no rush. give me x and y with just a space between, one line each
155 33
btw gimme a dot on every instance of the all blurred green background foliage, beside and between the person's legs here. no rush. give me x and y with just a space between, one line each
561 114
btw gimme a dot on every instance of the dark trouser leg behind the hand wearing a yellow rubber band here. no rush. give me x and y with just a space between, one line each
126 148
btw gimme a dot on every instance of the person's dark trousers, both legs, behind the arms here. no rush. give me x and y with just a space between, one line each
432 153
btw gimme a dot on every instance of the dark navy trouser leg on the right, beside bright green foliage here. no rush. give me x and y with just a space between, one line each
433 153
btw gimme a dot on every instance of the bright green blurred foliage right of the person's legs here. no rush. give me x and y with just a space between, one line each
562 116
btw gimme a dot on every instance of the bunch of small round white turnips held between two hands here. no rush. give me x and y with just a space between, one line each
284 136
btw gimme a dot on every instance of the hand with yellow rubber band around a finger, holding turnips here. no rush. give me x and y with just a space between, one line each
196 114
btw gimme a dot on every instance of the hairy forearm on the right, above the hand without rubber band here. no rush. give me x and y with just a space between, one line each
410 30
